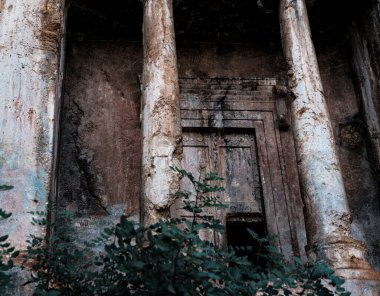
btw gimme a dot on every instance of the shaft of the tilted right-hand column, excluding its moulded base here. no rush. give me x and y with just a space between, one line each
316 153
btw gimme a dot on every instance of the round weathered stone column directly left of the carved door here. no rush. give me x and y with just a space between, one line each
161 112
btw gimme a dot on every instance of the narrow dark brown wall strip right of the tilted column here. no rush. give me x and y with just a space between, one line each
351 142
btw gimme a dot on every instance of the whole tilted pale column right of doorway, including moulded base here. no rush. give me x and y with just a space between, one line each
327 212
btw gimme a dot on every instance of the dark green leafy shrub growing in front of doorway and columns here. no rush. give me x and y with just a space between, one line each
170 258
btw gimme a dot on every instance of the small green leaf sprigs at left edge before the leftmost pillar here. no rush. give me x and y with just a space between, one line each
7 254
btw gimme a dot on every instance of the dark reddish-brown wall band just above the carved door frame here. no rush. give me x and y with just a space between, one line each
245 61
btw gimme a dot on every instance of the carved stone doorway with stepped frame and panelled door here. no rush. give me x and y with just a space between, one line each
232 127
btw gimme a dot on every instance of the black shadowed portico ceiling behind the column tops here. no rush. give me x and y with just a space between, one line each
208 20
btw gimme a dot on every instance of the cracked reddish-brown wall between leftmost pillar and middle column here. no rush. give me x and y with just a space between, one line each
100 142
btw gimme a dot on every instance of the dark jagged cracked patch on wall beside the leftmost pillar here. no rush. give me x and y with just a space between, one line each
79 184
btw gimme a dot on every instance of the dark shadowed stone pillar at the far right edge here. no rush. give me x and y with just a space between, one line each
365 59
